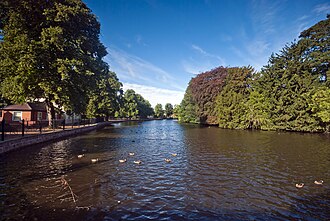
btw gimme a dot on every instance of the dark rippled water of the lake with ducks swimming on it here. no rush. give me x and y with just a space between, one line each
216 175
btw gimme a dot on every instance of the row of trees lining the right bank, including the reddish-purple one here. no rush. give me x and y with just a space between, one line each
292 92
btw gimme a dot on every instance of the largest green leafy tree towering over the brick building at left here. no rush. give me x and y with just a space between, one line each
51 51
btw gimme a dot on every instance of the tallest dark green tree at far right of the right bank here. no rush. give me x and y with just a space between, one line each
293 76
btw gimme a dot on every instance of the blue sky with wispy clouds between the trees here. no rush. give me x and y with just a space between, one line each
156 46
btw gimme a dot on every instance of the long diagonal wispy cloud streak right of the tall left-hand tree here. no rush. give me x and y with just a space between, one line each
131 68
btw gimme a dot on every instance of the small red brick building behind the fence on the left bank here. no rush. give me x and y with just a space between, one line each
32 112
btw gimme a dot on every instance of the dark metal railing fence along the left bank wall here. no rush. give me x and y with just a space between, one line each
27 128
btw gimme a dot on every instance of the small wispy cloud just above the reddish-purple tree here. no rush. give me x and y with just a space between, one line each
202 61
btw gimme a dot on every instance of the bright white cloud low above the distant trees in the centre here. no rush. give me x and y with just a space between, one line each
156 95
